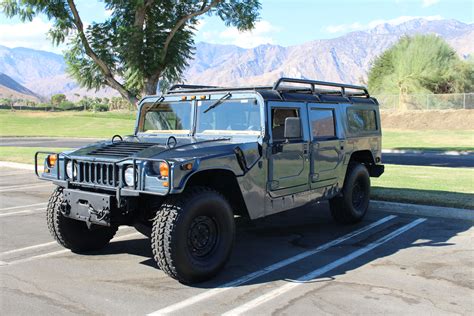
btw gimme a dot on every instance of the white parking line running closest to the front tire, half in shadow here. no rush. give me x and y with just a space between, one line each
268 269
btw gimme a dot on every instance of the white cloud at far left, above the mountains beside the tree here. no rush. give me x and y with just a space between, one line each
30 34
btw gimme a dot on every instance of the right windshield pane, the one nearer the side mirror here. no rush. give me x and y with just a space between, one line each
230 117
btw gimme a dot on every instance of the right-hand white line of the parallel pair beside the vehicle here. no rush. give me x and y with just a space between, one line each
318 272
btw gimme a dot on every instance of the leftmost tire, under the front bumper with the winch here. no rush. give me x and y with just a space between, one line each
73 234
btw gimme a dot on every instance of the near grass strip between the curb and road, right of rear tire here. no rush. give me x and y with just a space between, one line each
452 187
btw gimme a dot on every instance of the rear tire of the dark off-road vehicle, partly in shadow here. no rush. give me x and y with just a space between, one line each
351 205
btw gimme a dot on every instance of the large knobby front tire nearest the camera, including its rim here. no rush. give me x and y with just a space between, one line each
193 235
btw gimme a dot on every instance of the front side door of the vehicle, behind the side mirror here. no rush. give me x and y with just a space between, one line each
288 157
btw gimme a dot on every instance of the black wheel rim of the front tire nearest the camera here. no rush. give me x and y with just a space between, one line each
202 236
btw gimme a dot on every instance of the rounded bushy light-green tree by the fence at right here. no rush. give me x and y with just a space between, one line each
420 64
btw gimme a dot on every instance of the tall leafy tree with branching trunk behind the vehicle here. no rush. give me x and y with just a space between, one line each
143 41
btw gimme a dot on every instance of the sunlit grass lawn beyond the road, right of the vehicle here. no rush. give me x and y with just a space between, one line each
428 139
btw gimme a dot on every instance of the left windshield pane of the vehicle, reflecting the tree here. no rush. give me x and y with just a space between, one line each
170 117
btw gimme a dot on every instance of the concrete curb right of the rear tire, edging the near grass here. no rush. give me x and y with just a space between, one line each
422 210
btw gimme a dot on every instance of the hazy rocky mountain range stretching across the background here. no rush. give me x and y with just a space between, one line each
343 59
